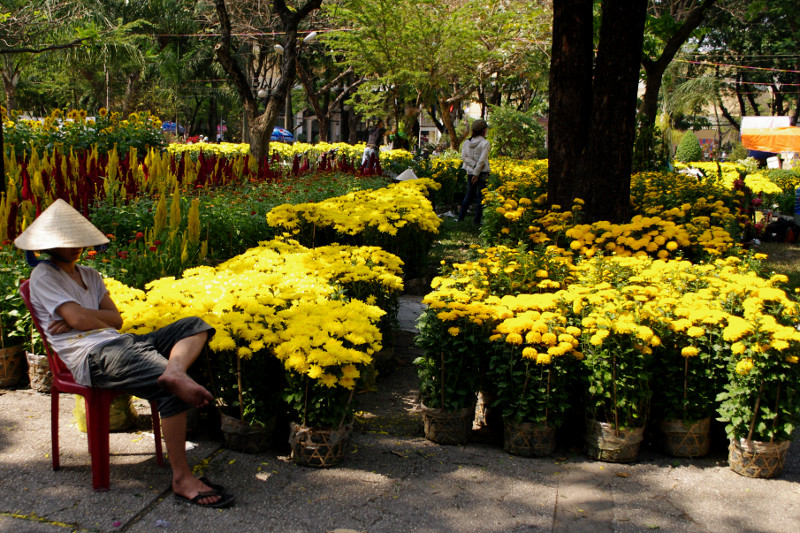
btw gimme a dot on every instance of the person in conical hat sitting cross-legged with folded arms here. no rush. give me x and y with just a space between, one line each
81 323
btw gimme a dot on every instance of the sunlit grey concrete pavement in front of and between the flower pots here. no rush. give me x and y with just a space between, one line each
392 480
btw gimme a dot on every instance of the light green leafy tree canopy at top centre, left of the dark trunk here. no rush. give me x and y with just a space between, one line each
436 55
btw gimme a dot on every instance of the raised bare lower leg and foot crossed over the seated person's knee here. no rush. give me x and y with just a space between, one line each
177 381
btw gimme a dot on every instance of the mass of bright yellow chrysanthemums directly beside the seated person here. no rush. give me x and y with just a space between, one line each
311 311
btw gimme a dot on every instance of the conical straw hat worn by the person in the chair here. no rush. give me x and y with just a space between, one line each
60 226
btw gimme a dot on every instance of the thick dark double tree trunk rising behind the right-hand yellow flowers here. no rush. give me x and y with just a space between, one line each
592 159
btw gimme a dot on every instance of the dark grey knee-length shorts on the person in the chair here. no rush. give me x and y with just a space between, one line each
133 363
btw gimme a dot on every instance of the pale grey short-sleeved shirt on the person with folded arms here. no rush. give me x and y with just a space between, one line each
51 287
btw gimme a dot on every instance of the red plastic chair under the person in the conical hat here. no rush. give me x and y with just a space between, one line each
98 404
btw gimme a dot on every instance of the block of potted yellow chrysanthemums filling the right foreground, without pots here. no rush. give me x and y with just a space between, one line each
711 337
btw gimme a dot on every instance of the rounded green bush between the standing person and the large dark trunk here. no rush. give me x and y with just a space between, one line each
516 134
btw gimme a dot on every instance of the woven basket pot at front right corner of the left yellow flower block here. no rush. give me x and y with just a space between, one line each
320 447
